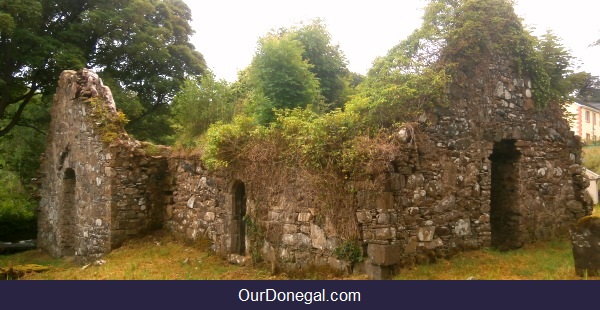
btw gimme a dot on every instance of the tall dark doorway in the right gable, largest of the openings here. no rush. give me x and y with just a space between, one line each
505 215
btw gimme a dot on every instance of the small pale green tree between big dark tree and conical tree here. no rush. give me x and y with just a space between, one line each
200 103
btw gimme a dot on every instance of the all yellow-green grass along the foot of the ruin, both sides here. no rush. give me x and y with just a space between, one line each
161 257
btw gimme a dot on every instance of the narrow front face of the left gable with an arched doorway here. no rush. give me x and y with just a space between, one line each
74 210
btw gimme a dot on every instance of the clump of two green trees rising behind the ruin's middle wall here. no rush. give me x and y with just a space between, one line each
295 67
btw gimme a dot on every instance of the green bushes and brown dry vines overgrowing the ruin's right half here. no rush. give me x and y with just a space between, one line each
283 125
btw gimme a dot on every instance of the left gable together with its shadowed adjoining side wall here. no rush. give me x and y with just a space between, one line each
94 194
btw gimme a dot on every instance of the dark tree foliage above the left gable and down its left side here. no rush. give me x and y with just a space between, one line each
140 48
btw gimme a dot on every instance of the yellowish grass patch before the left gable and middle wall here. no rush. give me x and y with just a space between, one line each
155 257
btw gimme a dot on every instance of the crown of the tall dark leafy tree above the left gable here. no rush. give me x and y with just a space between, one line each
142 45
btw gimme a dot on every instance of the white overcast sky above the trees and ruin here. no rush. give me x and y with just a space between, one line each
227 30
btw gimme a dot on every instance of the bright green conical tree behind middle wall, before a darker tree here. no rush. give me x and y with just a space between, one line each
281 77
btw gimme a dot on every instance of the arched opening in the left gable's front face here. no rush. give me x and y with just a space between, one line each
67 214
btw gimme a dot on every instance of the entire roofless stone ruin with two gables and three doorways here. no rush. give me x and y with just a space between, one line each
490 169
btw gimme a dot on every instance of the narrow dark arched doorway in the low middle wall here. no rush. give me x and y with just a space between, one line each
238 212
